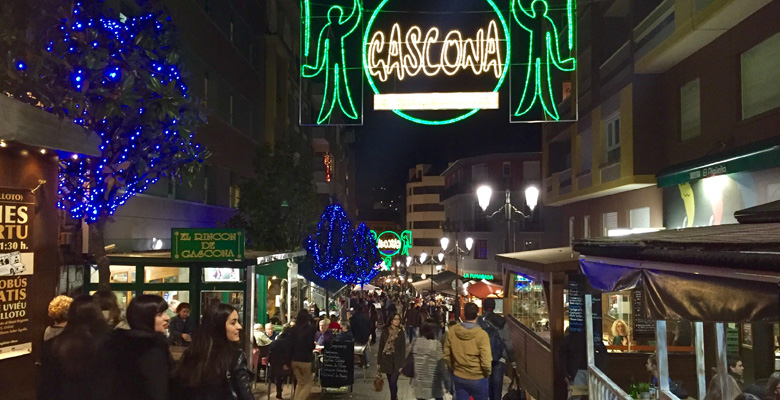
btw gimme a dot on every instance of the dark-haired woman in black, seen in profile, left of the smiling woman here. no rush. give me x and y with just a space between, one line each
138 358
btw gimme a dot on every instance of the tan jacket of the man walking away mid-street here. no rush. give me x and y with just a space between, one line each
467 351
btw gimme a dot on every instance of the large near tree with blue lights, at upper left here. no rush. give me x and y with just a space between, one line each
118 78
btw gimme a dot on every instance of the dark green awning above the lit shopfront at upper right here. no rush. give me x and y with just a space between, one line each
753 157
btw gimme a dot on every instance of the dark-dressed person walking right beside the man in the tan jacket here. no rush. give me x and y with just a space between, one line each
501 347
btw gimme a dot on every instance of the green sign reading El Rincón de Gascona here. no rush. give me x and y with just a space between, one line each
192 244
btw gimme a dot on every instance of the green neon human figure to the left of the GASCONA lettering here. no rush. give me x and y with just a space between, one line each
331 59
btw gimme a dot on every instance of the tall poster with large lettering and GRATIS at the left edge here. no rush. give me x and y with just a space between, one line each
17 209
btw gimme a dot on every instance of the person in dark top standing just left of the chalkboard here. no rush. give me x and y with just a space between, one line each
302 335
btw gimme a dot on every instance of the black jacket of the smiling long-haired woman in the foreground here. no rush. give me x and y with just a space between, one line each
237 384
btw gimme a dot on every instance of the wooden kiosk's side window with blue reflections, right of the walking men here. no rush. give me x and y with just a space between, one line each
529 306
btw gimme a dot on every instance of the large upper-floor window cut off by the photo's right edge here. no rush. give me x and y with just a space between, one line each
760 69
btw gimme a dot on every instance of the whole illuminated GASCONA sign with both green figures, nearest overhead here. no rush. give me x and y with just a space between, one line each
438 62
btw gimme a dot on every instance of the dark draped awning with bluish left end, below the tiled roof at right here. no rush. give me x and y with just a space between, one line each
673 295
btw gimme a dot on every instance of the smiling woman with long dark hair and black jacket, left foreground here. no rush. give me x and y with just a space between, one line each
213 367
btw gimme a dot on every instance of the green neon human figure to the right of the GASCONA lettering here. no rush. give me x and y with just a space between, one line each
537 77
